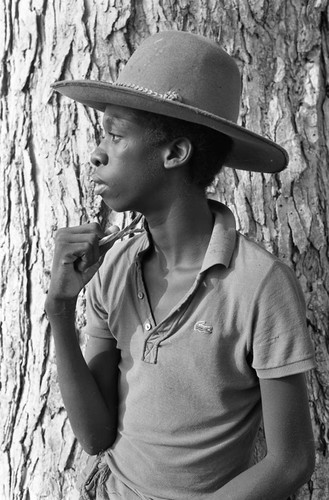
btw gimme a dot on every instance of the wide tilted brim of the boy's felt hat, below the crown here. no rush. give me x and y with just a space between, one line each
250 151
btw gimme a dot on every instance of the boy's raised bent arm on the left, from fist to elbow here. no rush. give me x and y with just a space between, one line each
93 419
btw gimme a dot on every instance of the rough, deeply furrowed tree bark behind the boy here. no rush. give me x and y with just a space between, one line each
282 50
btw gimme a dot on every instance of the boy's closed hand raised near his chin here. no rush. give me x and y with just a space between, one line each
77 258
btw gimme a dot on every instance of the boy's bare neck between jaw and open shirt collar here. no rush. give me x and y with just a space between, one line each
181 232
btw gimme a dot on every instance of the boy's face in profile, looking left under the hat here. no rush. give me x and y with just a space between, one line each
129 169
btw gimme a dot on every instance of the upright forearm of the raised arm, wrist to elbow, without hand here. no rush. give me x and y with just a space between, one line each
93 423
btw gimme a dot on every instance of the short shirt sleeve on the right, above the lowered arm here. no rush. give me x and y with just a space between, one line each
281 344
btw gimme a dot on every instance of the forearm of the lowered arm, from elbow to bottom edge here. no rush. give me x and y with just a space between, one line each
270 479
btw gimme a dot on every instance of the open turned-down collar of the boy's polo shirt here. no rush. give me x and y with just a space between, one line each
222 240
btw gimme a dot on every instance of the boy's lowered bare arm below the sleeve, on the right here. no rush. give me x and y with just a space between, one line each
289 462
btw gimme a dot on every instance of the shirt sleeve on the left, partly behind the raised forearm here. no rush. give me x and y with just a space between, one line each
96 314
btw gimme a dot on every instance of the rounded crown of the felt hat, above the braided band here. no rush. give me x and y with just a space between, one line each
198 70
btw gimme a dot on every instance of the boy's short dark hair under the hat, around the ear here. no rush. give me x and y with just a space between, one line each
210 147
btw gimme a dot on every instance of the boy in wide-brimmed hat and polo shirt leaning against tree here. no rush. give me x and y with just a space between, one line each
194 331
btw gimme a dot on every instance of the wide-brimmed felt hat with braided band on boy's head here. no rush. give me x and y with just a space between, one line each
185 76
